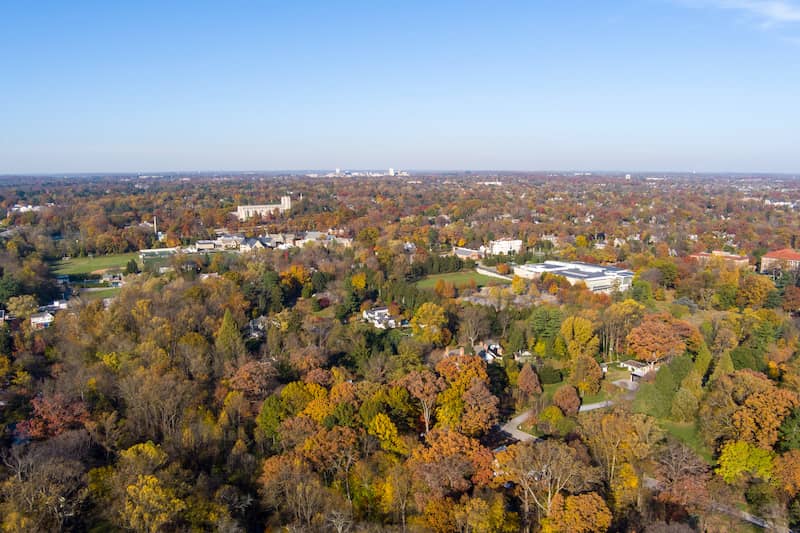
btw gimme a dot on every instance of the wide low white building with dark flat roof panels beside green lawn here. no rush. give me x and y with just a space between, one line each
597 278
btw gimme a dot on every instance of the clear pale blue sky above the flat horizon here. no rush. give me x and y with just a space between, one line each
699 85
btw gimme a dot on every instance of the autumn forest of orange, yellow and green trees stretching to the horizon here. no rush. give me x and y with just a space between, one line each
246 392
